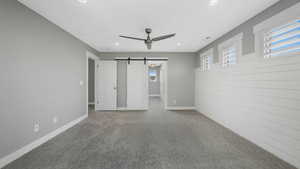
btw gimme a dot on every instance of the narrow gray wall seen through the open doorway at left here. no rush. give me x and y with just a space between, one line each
91 81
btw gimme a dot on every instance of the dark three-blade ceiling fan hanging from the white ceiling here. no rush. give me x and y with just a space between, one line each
149 41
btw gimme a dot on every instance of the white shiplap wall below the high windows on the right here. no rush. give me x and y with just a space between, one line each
258 99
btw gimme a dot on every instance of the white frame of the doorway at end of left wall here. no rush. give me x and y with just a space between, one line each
89 55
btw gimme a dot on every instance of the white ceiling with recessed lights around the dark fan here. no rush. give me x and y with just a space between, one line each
99 22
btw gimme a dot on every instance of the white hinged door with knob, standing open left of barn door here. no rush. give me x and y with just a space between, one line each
106 85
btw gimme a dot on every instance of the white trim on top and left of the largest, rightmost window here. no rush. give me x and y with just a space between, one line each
261 29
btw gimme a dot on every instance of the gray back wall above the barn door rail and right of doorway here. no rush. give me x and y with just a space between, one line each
181 79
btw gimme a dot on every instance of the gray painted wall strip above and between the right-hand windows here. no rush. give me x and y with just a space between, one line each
247 29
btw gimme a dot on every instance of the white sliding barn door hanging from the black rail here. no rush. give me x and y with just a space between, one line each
137 86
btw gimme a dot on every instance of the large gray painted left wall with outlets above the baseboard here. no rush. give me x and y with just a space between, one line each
40 68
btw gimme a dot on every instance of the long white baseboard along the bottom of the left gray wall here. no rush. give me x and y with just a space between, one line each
19 153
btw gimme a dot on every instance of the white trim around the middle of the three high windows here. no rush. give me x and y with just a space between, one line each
234 41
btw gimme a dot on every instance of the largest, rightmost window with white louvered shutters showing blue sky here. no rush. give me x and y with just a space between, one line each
282 40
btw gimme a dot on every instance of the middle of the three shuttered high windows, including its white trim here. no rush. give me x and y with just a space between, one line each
230 51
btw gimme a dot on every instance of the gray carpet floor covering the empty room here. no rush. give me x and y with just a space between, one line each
155 139
